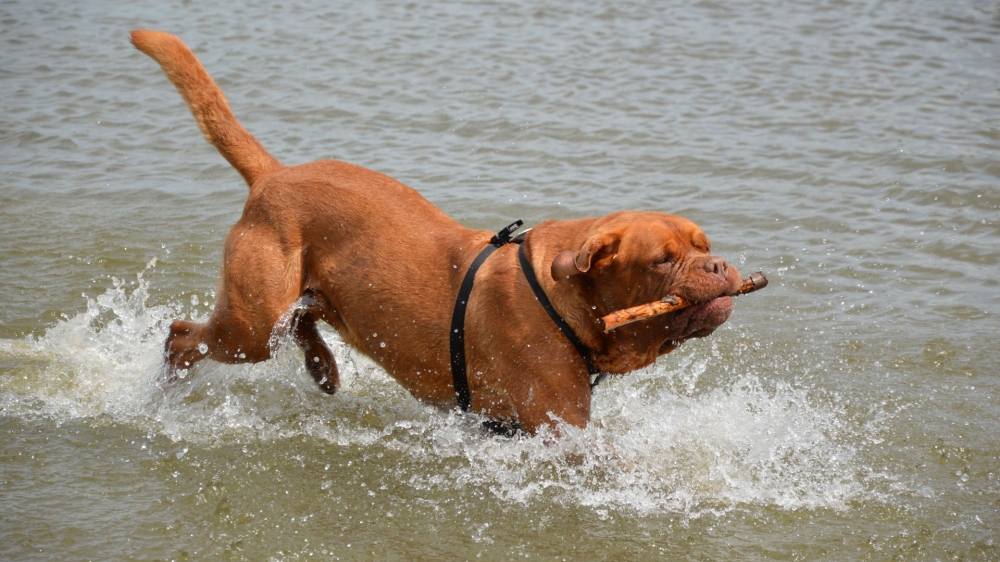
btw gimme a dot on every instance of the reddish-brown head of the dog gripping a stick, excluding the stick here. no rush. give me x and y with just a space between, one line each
630 258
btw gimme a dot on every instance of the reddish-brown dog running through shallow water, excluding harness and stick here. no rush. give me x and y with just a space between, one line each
383 266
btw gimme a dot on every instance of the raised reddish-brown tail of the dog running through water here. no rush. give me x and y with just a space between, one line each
208 105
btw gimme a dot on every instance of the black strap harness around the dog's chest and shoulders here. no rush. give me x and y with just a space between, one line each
458 367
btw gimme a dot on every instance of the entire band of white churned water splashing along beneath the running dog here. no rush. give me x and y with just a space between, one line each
654 444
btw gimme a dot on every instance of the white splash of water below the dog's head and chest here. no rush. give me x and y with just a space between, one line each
651 451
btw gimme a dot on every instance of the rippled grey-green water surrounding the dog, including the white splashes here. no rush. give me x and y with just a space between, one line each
848 149
